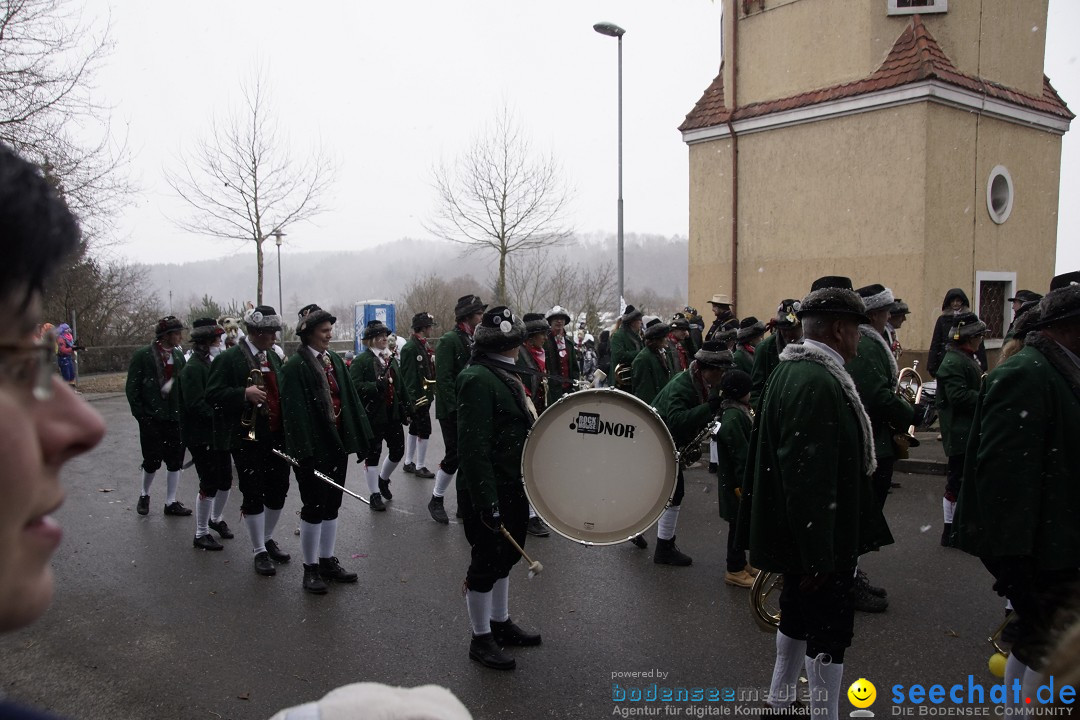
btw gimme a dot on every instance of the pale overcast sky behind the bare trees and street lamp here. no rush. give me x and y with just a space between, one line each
389 89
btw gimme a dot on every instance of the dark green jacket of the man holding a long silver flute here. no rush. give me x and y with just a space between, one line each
310 430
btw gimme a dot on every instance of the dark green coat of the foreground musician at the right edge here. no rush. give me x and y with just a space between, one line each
1021 495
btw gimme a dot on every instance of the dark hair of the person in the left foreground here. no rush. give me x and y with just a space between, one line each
39 232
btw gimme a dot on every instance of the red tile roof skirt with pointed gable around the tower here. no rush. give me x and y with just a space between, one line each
914 58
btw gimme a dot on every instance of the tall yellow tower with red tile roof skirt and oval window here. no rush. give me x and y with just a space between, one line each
910 143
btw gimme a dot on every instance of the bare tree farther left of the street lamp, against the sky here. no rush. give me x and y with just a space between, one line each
244 182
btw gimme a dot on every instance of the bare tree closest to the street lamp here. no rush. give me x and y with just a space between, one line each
499 197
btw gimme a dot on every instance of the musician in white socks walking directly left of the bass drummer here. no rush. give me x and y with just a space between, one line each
452 356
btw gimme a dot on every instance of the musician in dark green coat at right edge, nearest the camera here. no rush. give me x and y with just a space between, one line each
1019 504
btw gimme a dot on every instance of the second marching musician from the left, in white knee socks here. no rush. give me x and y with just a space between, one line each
197 427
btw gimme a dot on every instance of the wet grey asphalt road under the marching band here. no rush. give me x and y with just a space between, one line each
145 627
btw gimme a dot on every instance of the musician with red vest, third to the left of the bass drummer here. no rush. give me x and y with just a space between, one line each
417 363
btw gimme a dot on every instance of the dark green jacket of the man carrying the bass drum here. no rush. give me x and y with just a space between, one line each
492 432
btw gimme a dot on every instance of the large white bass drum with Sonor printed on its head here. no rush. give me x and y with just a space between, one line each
600 467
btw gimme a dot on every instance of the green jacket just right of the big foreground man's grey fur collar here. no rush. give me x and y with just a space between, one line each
872 370
